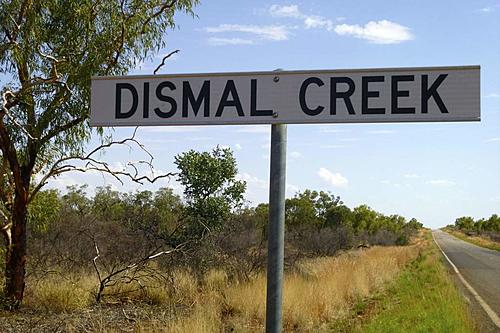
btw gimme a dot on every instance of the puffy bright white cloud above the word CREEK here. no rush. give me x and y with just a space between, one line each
379 32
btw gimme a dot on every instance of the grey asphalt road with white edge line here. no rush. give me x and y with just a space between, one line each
479 266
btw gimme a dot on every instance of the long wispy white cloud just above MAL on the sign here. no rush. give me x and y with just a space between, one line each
264 32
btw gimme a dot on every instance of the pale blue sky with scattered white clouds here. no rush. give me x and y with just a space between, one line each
432 171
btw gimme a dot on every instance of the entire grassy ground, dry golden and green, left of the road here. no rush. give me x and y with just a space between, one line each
376 289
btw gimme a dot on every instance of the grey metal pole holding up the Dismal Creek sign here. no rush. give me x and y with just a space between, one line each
276 229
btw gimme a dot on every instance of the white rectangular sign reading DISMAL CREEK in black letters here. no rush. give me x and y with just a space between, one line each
289 97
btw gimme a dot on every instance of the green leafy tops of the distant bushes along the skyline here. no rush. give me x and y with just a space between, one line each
163 212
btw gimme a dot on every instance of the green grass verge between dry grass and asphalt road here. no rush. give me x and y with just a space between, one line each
423 299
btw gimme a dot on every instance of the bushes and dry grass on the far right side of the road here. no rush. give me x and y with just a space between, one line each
481 232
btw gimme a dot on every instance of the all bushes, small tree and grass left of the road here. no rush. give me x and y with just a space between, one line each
155 261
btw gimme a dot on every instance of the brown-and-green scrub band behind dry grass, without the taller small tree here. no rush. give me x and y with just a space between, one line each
126 228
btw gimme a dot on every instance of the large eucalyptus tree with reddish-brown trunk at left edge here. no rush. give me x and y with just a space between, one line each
49 49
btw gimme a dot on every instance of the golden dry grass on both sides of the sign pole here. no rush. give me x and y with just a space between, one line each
316 293
